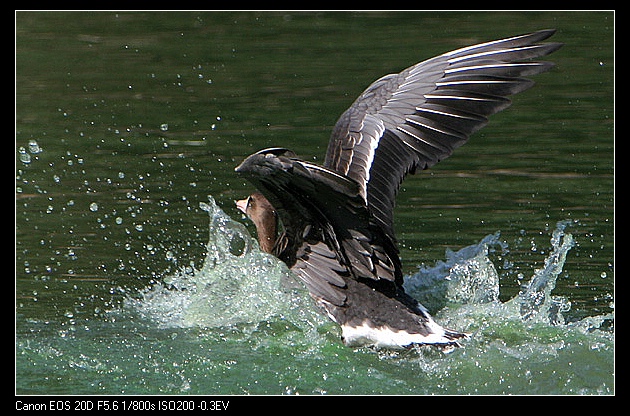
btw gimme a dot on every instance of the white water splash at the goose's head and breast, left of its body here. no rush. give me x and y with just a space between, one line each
237 285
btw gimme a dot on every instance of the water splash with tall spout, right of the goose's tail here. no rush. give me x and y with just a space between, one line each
469 281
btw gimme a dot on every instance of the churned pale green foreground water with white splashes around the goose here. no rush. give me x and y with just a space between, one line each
233 327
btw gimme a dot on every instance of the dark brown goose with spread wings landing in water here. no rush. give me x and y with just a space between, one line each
333 224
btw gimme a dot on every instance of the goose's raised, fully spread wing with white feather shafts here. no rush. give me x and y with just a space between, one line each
414 119
